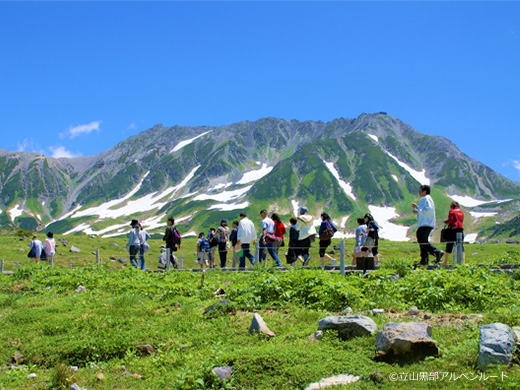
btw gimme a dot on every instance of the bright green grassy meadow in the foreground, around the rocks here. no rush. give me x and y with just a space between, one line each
46 327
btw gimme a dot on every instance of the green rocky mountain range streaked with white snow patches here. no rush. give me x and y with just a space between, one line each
200 175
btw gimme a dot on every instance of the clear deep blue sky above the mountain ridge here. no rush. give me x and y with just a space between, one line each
79 77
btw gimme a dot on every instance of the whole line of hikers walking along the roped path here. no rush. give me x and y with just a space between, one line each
242 236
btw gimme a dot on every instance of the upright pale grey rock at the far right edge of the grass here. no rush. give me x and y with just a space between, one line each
496 345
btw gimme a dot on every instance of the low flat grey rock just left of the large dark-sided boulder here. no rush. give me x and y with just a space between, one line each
349 326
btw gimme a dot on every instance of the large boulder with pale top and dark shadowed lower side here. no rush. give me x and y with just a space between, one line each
405 342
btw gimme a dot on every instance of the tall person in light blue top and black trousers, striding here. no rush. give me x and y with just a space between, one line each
425 212
